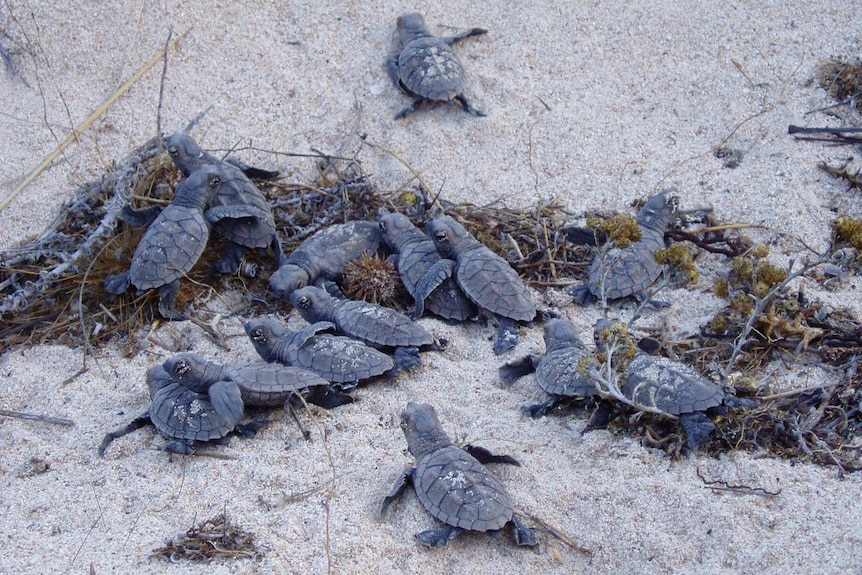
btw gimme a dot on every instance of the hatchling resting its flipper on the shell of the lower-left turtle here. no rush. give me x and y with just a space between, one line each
260 384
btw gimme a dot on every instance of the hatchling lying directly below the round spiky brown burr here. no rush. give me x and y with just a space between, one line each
376 325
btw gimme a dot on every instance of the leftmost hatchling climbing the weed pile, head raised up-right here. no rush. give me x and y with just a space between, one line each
173 243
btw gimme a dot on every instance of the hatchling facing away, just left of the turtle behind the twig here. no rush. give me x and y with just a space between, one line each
557 371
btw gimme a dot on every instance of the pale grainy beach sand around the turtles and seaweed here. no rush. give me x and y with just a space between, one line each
639 96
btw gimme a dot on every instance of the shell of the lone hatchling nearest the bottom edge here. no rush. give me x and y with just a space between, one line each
456 489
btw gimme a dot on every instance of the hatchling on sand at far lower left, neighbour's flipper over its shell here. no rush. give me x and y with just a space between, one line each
184 415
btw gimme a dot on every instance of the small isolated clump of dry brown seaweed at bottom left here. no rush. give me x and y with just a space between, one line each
213 538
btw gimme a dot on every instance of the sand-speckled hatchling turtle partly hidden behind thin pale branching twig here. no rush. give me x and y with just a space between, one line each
674 388
